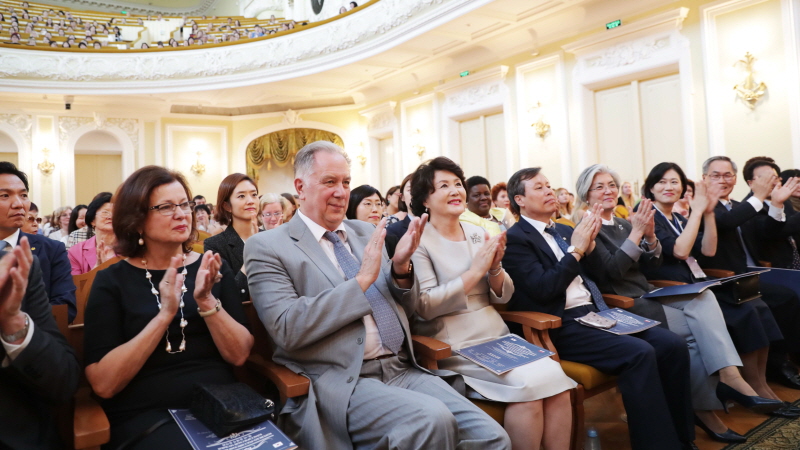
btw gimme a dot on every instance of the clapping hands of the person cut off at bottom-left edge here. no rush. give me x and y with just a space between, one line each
14 269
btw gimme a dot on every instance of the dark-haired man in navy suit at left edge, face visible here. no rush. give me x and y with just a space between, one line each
14 204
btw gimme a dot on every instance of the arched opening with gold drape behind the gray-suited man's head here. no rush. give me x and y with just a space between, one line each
270 157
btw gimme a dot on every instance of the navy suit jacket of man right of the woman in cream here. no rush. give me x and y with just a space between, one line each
540 279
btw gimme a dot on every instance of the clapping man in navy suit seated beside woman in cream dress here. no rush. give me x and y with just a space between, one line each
652 366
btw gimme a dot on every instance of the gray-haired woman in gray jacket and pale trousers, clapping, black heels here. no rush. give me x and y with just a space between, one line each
627 247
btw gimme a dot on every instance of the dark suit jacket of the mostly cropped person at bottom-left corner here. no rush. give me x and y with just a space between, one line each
45 373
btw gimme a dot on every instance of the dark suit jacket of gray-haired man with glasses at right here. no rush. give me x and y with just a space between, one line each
730 253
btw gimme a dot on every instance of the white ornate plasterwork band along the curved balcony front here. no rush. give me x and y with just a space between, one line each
357 36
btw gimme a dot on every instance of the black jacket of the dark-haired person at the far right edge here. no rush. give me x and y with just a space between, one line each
770 238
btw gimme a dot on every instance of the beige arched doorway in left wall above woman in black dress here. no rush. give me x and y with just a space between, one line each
98 165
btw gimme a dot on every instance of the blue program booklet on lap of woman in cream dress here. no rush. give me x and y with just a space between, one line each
503 354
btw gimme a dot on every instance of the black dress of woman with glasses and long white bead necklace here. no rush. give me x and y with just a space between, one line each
120 306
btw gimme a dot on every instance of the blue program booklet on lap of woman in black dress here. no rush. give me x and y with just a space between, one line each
264 435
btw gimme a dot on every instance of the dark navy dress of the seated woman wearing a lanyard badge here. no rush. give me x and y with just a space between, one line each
751 325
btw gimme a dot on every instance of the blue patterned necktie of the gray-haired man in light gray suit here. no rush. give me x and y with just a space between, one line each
389 327
